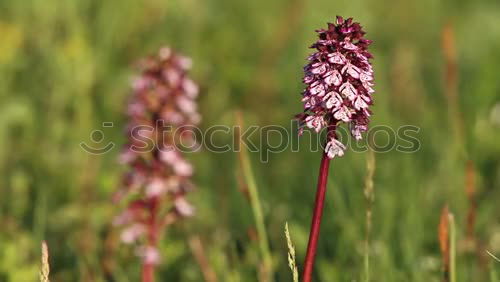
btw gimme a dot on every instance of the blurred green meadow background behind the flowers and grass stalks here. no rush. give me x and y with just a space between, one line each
65 68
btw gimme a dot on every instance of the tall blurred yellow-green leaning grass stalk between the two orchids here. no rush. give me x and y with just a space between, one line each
254 202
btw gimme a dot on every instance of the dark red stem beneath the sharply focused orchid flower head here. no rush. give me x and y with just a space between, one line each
316 219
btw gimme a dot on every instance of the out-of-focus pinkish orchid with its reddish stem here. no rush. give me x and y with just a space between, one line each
160 111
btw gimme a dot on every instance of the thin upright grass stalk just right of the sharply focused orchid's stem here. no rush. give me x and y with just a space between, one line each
369 197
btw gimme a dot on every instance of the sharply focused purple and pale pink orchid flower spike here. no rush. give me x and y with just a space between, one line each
339 83
